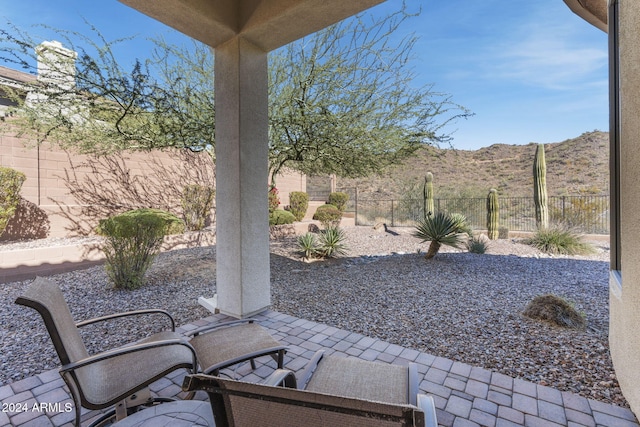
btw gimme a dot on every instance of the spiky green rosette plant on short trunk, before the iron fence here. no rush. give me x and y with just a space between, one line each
441 229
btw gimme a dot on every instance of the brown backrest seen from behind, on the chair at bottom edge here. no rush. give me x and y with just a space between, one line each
242 404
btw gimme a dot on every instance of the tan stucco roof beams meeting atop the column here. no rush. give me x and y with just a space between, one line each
267 24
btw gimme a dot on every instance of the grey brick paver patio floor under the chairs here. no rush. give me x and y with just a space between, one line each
464 395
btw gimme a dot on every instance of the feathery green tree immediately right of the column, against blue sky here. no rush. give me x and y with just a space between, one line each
342 101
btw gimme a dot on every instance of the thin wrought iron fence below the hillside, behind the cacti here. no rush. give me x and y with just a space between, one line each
586 214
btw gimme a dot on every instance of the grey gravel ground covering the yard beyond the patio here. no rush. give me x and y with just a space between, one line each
462 306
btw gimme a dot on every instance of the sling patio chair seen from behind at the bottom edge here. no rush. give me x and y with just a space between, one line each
354 401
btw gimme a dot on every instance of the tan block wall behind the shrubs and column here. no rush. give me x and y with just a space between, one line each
66 194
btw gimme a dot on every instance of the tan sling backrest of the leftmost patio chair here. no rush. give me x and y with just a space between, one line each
46 298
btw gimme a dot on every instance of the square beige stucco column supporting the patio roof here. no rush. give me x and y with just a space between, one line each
242 241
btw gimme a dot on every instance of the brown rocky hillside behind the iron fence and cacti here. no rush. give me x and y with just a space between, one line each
575 166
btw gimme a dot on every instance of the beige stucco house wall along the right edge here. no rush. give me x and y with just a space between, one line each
625 293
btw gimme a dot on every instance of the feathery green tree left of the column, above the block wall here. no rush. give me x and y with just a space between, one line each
167 101
